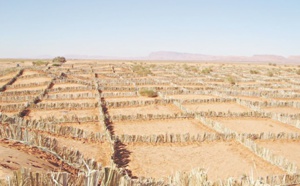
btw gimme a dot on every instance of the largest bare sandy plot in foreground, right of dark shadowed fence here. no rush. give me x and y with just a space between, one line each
222 159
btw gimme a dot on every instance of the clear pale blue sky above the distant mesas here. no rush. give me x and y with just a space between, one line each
31 28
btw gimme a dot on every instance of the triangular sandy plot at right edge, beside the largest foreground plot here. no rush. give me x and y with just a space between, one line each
286 148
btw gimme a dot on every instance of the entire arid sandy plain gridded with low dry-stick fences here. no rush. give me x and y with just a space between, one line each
161 122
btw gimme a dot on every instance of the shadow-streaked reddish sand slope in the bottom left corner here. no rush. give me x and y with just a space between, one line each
12 159
